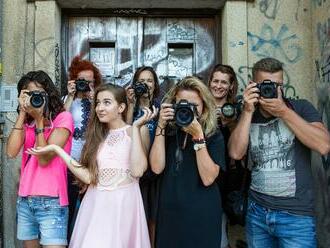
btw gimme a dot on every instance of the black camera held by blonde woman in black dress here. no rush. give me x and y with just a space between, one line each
184 113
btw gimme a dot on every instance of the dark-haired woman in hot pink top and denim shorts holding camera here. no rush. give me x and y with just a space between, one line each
42 203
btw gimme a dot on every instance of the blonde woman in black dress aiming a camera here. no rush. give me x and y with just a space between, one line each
188 151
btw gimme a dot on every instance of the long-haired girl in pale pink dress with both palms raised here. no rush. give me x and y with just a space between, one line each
113 159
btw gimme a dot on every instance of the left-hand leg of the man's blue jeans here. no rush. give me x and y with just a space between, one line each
257 230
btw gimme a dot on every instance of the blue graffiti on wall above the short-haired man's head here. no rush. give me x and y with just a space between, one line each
281 45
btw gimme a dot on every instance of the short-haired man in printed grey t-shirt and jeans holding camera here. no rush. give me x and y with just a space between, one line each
278 134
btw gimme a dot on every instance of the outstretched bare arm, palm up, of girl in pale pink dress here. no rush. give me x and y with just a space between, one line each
80 172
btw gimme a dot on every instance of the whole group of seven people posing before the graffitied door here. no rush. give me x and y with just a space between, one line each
107 166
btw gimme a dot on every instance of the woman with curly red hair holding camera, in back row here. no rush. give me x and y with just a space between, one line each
84 78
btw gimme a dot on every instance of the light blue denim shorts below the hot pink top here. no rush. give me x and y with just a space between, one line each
42 217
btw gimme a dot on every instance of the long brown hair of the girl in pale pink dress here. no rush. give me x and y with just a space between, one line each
97 131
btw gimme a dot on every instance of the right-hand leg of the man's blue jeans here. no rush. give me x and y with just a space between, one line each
295 231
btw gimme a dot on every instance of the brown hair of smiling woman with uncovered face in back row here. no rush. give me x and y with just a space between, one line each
226 69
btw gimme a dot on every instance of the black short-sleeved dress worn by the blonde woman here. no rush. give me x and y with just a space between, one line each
189 212
